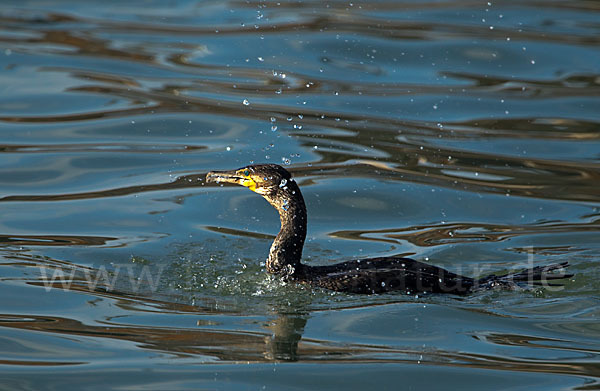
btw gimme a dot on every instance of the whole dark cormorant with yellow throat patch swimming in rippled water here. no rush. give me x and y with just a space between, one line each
374 275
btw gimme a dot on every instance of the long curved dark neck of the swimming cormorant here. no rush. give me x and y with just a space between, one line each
286 250
